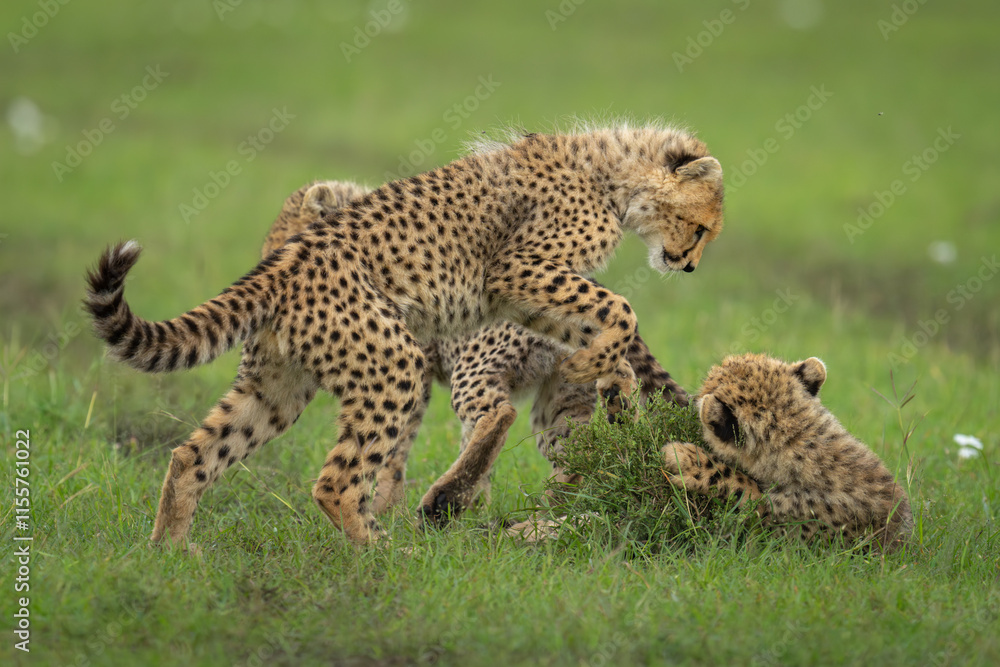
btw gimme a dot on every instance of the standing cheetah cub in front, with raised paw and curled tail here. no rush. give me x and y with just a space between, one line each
507 233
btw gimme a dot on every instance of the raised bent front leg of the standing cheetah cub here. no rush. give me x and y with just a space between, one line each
534 286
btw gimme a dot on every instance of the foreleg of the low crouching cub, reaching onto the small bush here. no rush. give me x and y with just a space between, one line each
689 467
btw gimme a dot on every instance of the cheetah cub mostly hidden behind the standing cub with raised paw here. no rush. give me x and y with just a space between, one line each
485 371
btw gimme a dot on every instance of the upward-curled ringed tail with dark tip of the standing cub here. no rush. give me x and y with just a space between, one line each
194 338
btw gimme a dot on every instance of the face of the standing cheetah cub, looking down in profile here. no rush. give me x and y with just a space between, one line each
677 212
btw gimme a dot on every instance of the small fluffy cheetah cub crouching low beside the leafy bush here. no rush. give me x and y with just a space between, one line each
767 430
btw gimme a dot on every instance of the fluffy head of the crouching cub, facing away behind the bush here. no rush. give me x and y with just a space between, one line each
751 403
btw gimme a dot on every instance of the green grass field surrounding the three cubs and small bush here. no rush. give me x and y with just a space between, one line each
275 583
